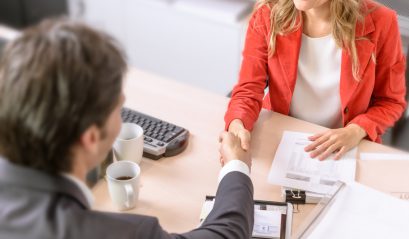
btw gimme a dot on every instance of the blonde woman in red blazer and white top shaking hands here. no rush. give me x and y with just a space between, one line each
337 63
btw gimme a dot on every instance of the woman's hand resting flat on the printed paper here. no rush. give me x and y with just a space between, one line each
335 140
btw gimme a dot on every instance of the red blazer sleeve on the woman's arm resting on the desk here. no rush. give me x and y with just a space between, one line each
388 97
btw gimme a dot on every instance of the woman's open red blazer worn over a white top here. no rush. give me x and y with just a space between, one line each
375 102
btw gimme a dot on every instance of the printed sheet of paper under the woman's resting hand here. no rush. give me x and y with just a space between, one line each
293 167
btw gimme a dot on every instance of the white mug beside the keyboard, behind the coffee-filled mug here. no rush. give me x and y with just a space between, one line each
129 143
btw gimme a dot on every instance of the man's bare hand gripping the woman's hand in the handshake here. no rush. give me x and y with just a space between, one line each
231 149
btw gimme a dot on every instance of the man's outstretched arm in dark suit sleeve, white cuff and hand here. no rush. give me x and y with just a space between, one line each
232 216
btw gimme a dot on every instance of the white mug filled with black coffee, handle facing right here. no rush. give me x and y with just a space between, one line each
123 183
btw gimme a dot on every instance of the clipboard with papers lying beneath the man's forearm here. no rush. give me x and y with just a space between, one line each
263 230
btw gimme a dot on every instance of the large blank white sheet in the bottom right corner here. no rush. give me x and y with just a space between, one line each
361 212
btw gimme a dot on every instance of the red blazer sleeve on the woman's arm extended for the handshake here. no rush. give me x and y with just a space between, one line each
247 95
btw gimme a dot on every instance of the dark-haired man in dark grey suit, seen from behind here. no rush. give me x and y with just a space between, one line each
60 102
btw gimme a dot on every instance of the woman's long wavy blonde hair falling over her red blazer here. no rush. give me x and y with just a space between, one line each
344 16
